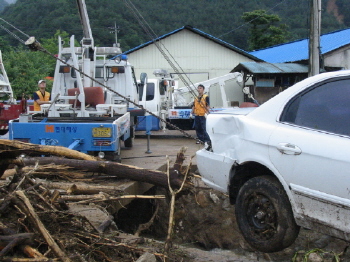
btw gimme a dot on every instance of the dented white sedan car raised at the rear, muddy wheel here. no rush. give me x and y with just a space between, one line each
286 163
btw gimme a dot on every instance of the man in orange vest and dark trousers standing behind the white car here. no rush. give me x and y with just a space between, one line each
200 109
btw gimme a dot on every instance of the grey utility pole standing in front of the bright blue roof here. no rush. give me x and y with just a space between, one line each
314 40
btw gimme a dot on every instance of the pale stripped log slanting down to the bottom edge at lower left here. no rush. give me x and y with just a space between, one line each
27 207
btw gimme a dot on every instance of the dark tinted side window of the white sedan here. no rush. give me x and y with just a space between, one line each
325 107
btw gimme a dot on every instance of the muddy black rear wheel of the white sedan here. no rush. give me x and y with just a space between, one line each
264 215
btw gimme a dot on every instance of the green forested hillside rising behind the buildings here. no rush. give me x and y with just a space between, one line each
220 18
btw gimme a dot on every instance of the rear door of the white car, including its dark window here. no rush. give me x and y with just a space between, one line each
311 151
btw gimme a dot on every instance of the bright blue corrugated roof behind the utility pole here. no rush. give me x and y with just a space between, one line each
299 50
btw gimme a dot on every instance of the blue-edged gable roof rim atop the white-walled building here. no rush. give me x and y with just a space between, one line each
199 32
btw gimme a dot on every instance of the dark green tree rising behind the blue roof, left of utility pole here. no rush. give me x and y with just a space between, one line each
265 29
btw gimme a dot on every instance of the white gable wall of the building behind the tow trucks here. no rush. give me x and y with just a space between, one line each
199 57
